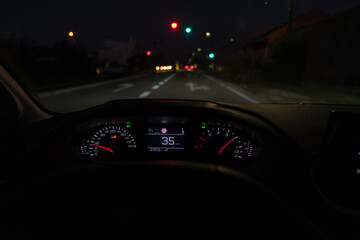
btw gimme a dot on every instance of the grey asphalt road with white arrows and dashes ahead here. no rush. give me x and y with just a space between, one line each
181 85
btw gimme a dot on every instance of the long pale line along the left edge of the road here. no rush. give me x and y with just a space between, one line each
85 86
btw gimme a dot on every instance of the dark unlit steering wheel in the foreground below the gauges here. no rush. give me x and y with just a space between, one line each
151 200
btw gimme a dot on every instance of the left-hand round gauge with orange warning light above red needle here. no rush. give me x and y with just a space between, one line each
109 143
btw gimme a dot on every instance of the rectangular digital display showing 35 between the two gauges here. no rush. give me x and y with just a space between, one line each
165 139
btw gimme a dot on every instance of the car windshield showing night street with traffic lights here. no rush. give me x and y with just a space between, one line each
72 55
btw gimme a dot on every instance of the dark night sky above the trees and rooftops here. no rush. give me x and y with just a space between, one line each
148 21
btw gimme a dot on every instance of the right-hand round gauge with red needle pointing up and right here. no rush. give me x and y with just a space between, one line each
226 143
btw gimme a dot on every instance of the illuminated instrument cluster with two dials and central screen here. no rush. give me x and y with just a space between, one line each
168 138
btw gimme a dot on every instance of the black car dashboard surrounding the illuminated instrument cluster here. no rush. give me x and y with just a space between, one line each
307 154
